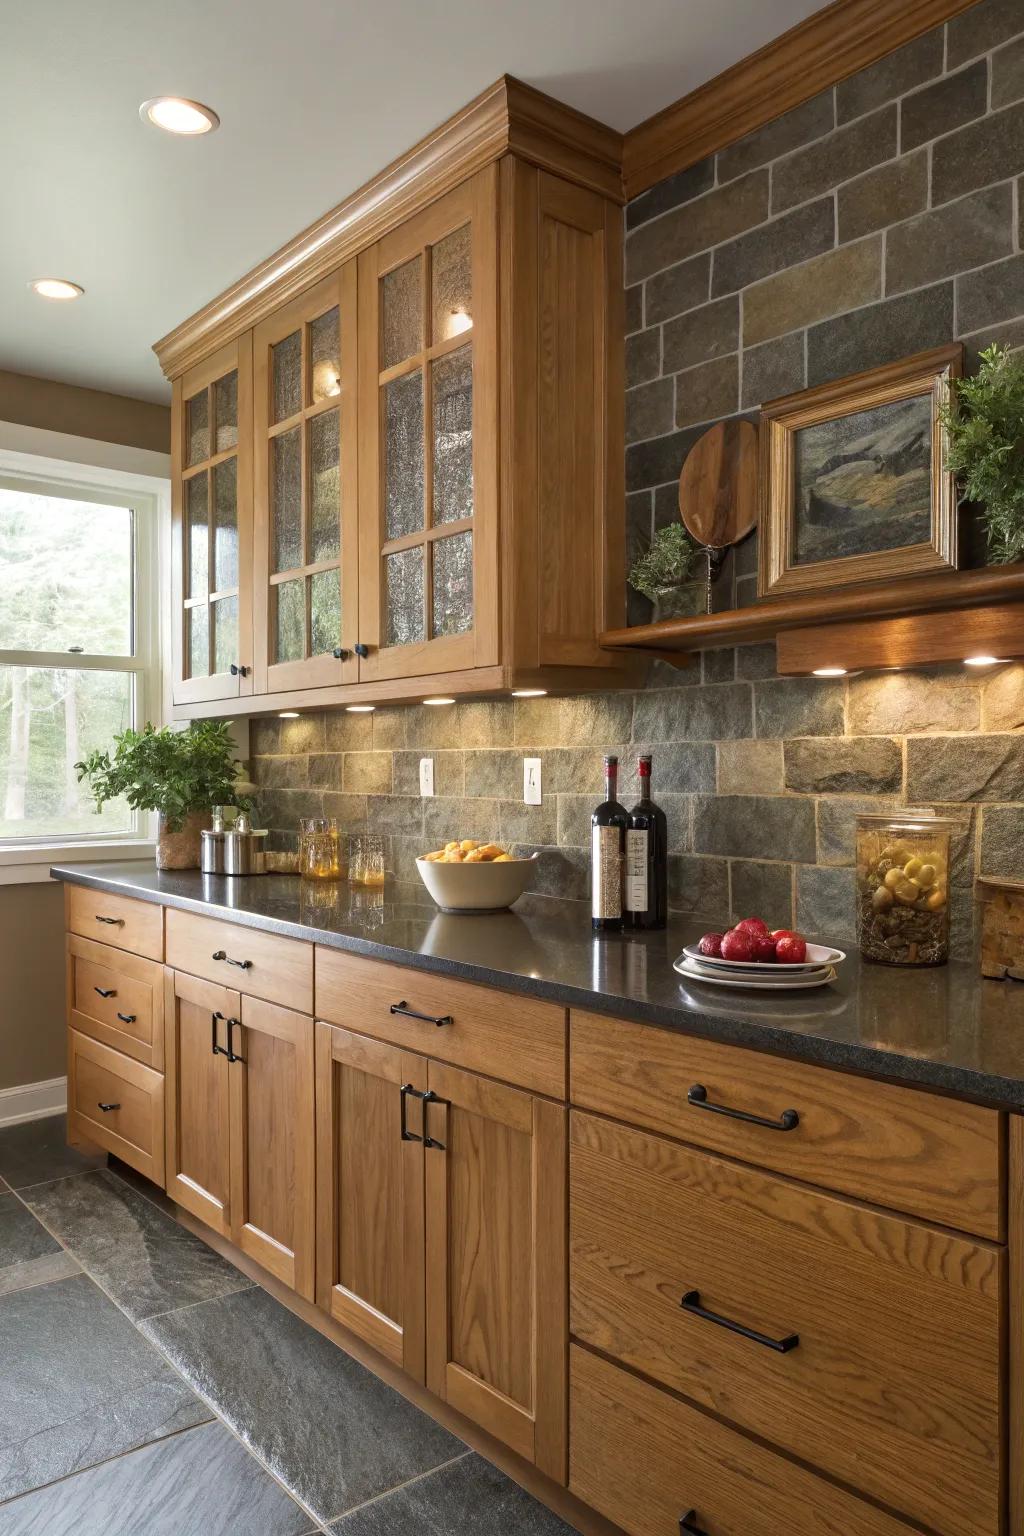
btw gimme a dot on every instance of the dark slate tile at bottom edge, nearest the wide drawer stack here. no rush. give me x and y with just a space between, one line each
471 1495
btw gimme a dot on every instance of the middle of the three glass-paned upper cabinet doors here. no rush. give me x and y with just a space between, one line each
305 558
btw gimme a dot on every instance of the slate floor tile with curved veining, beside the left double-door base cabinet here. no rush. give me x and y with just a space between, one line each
140 1257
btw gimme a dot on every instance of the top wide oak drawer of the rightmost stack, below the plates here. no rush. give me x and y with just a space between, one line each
896 1147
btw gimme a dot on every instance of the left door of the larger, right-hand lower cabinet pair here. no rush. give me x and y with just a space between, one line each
371 1191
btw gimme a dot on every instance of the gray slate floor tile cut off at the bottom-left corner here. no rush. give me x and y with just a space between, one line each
202 1483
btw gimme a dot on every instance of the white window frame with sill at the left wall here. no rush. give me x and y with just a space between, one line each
150 502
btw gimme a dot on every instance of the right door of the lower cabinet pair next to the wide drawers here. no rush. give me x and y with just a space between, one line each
497 1302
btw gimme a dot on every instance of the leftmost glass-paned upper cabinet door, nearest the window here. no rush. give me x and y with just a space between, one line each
213 528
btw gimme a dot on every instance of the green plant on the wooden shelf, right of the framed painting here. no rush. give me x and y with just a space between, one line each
985 425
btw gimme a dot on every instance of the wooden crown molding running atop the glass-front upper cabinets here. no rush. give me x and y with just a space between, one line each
507 118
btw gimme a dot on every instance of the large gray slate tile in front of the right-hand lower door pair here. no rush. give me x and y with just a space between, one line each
326 1428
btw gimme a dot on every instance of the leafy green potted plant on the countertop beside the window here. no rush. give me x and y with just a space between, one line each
180 775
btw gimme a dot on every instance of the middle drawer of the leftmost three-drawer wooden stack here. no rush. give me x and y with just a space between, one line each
119 999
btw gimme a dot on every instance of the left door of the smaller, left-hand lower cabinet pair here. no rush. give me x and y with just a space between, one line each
197 1096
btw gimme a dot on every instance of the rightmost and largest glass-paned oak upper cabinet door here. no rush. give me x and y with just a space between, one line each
429 440
